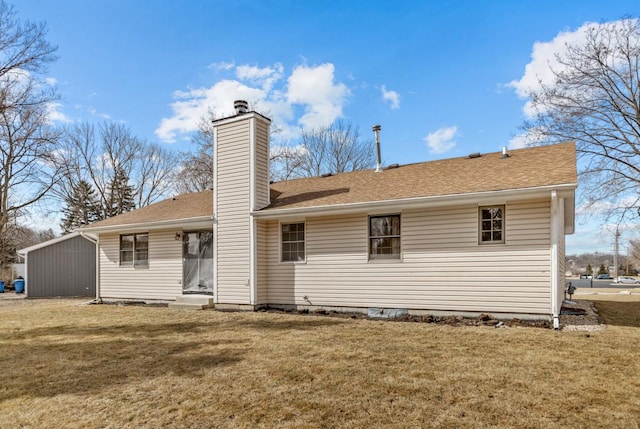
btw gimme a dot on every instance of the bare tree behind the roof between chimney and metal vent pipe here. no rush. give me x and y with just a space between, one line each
332 149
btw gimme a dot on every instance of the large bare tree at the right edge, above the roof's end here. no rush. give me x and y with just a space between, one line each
594 100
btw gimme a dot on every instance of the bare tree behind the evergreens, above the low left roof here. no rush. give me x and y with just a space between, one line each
108 155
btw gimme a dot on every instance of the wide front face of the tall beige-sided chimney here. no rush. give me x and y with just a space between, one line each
233 199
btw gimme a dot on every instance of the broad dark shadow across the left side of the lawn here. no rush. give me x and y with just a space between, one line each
92 360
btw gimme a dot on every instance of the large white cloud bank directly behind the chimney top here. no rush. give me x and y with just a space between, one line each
268 90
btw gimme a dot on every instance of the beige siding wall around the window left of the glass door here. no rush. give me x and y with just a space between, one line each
161 280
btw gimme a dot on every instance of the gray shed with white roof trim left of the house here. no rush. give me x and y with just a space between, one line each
64 266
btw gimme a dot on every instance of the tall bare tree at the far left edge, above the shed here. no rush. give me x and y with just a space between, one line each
27 141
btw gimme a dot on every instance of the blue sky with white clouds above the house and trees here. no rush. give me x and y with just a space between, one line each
443 78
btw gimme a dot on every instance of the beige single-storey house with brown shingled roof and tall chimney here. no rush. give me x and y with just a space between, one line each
469 235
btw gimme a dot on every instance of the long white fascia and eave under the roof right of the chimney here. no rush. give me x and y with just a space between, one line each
481 198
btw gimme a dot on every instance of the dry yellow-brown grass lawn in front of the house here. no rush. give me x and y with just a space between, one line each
65 365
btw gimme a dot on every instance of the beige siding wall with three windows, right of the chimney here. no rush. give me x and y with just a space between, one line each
442 265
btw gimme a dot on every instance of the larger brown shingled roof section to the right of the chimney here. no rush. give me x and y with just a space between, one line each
524 168
